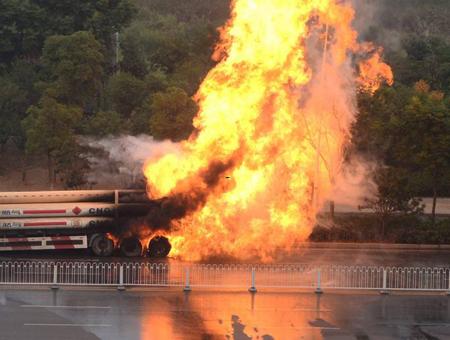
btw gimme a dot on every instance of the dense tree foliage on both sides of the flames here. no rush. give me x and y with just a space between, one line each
111 67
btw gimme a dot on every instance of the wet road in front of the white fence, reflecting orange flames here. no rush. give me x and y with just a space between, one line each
171 314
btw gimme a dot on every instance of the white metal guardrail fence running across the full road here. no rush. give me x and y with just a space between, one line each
189 276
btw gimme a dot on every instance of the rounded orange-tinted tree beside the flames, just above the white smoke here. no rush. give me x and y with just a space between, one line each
172 112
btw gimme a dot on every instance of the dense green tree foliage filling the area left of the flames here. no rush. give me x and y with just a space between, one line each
100 68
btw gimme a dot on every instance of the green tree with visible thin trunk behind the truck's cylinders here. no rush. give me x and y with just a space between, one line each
50 129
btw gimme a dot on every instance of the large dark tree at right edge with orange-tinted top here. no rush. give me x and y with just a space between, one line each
408 129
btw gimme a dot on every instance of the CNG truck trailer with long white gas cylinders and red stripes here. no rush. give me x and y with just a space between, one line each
82 219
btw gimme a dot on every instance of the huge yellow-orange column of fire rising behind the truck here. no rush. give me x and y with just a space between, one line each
273 122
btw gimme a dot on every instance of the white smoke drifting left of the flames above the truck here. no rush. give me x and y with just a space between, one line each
118 161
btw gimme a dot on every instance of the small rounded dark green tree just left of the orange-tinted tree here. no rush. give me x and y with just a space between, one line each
126 93
